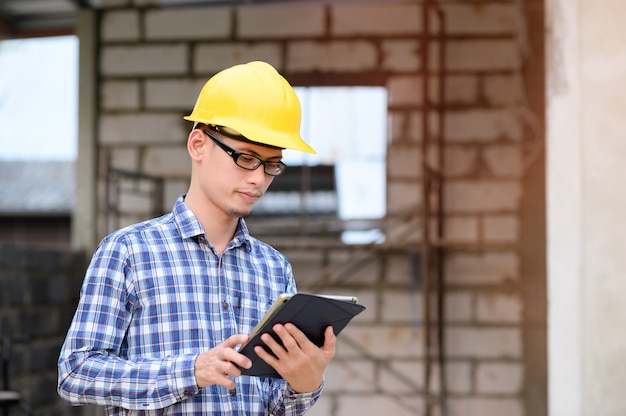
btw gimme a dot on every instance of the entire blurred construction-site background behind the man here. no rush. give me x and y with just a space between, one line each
466 187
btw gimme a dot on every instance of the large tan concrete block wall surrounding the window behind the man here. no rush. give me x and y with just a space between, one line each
153 62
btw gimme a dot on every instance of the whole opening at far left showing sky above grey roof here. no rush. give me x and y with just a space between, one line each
38 139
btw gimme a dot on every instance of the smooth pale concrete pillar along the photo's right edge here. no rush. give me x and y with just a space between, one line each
586 169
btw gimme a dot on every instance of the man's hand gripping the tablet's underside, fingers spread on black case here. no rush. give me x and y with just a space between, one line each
299 361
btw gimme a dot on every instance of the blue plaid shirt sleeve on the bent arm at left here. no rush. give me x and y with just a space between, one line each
91 368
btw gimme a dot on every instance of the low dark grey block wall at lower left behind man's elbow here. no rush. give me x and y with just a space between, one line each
39 291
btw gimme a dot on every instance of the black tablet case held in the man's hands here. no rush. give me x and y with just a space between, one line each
312 314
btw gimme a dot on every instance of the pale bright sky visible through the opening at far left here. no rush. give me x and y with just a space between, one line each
39 88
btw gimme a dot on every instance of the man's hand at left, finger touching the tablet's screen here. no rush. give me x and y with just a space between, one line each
215 365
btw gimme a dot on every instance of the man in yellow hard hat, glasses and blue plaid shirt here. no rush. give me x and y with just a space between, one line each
166 303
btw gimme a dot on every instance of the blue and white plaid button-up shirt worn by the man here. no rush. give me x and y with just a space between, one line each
156 295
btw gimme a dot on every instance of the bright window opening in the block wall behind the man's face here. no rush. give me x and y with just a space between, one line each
346 178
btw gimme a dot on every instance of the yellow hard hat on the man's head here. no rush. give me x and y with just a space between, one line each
256 101
